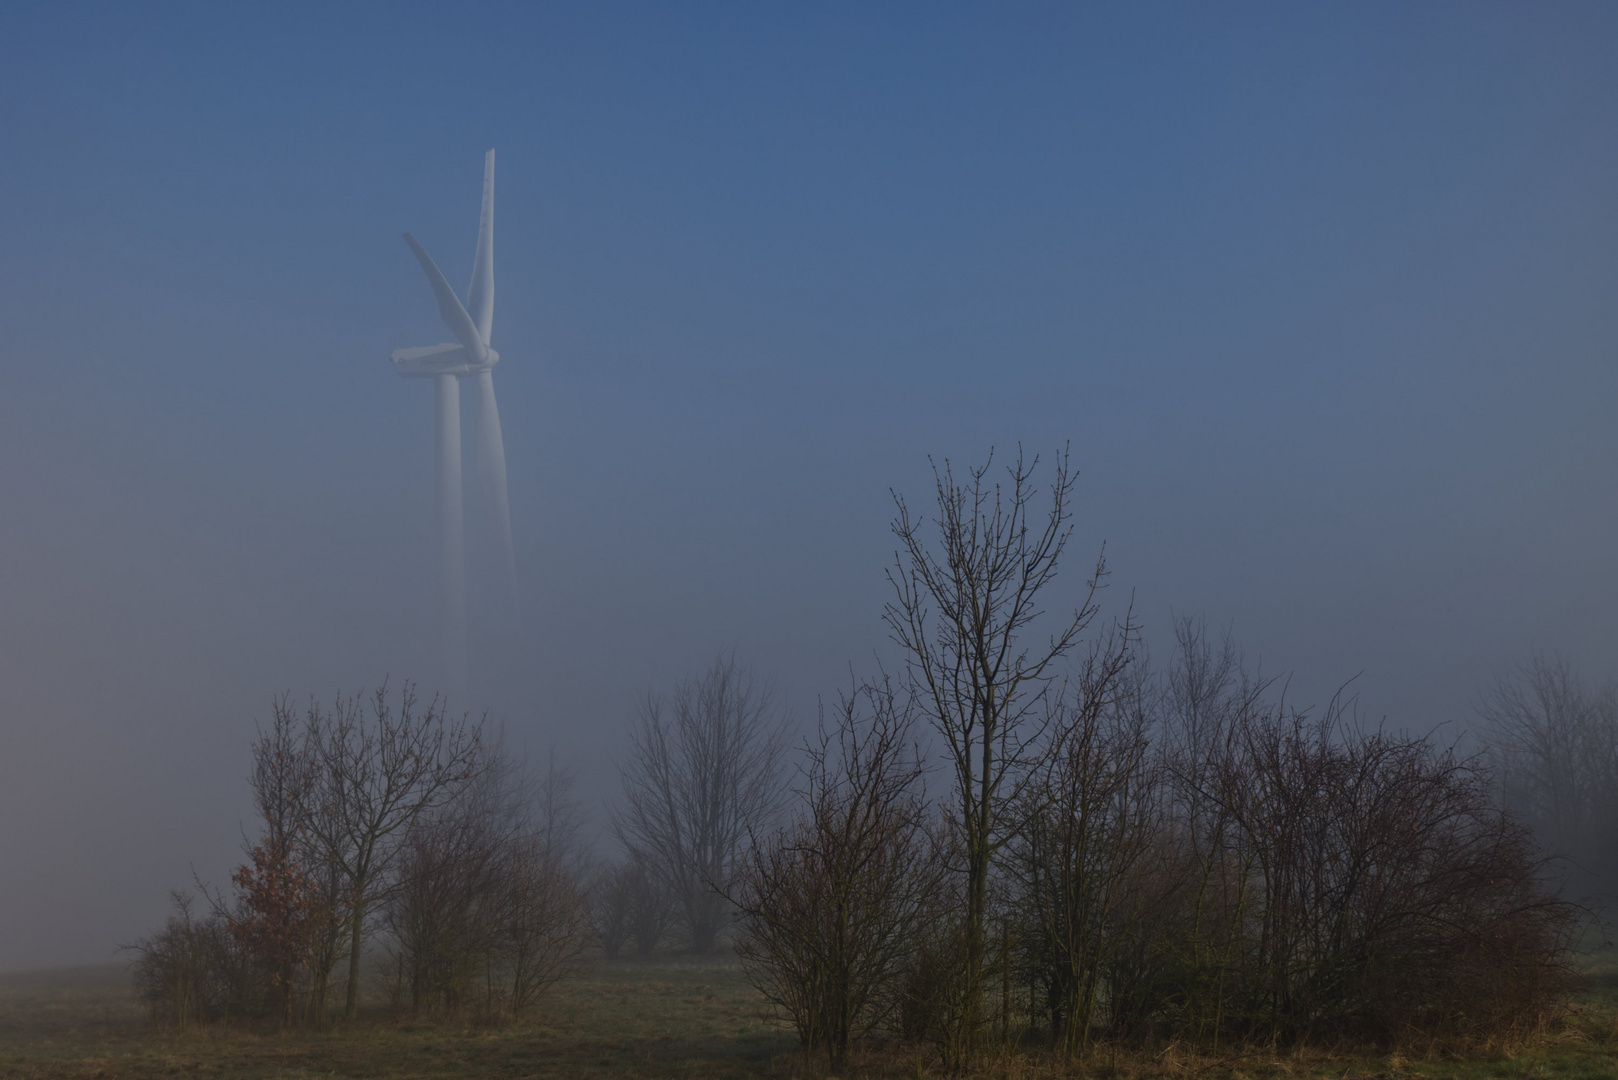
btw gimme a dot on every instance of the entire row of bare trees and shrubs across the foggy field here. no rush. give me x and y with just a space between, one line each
1027 831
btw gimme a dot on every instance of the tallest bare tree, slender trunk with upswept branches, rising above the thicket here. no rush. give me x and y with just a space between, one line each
965 605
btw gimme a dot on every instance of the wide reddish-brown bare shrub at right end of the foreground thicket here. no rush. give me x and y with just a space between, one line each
1387 883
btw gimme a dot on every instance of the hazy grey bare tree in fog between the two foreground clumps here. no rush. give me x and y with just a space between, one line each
703 773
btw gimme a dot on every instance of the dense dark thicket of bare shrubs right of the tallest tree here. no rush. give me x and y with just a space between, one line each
1209 864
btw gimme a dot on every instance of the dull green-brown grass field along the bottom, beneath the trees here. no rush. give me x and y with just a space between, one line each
664 1018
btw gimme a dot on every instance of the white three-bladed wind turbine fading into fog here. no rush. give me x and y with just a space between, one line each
447 365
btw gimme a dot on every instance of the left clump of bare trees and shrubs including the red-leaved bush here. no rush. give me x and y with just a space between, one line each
400 819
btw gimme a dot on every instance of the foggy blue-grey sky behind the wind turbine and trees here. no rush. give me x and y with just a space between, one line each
1323 297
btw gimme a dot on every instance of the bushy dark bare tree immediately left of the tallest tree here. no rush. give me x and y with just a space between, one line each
832 906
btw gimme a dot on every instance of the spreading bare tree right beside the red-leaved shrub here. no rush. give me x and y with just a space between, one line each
378 778
